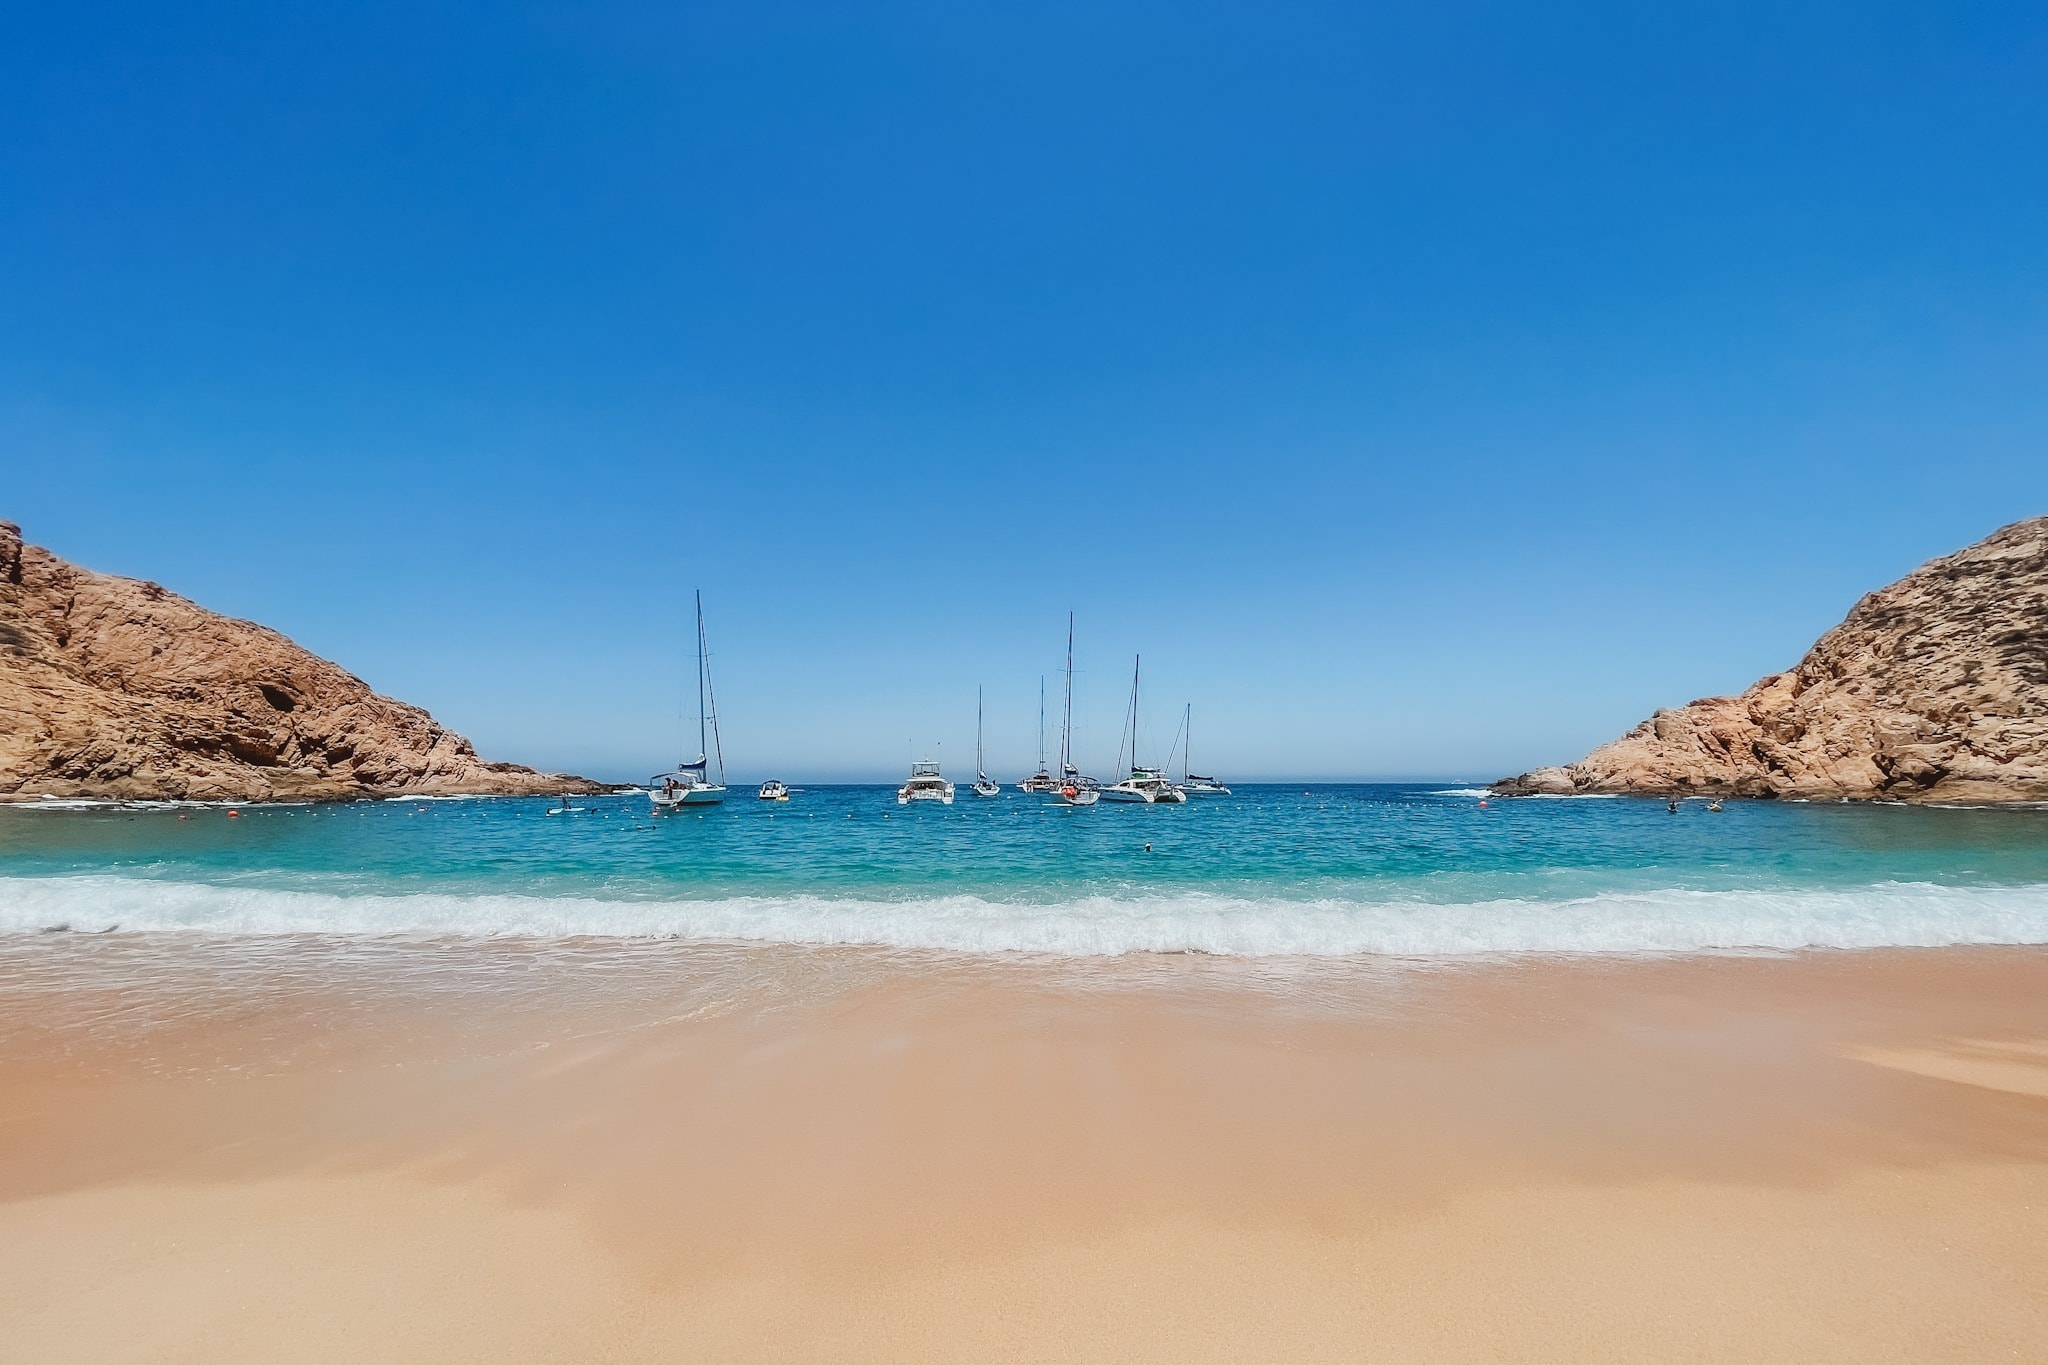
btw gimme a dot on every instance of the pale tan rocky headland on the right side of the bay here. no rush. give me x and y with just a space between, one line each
1934 689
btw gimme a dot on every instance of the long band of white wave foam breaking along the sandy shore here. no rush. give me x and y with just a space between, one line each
1885 916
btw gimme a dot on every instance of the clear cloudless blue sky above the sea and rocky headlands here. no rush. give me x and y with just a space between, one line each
1426 390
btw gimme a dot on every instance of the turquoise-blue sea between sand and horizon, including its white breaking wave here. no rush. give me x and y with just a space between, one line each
1271 871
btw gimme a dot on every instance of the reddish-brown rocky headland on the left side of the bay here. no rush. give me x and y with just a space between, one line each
126 691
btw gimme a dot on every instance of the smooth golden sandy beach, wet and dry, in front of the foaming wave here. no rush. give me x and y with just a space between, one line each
327 1151
